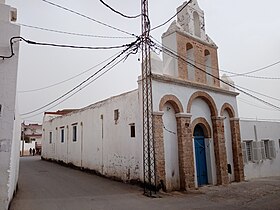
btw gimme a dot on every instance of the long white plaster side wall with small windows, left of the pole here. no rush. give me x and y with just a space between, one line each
109 151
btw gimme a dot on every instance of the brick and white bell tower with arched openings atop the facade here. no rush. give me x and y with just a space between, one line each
187 37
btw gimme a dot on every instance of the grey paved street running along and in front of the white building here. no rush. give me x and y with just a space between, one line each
49 186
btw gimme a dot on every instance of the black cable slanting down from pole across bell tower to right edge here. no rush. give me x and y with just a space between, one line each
175 55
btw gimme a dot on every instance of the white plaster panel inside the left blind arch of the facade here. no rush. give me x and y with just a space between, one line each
171 148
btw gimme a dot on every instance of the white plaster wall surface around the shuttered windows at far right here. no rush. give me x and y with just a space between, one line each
265 131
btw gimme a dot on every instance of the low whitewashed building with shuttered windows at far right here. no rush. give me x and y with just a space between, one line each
261 148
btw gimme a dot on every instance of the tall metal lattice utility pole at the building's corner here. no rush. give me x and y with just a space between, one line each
148 132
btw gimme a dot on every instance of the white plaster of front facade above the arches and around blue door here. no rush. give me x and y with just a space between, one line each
199 109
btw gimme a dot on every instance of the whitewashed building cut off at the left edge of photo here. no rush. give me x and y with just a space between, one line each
9 119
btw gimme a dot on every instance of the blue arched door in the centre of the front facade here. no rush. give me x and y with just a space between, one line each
200 156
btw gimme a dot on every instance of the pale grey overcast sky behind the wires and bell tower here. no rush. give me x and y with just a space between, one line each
246 32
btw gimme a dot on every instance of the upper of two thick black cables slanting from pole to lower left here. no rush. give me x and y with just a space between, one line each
132 46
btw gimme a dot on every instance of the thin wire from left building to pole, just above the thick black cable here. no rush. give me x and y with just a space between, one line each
75 34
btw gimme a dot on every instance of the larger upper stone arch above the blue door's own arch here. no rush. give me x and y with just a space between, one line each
207 98
